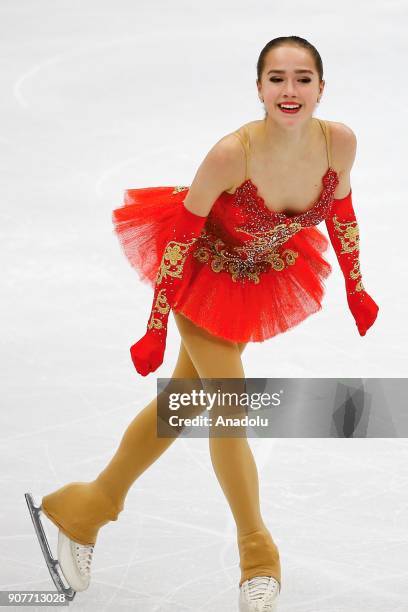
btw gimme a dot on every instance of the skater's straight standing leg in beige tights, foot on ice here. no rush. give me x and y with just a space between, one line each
232 458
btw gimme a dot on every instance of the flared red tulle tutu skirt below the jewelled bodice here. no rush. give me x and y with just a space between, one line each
233 310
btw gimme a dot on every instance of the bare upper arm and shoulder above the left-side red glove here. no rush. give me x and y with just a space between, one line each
218 172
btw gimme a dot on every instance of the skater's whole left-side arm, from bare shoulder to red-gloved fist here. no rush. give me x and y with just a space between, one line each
216 174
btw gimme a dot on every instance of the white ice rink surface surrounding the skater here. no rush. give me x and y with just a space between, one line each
99 97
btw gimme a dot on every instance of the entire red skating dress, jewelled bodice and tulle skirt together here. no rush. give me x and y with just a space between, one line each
251 274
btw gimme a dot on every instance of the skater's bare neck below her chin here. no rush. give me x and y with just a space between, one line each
288 140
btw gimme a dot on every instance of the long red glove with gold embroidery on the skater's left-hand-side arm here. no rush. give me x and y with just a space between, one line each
148 353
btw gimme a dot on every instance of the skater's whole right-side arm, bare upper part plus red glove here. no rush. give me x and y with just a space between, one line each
343 231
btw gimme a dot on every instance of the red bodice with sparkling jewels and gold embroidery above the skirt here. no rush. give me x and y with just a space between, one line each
243 237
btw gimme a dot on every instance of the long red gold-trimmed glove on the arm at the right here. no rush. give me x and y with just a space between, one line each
343 230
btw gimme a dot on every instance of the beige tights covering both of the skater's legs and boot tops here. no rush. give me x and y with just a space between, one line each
80 509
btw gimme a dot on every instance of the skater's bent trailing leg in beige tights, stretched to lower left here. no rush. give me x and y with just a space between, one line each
80 509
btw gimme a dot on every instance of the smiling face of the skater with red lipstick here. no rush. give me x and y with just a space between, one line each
281 82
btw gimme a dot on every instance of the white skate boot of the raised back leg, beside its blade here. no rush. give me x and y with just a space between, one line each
75 562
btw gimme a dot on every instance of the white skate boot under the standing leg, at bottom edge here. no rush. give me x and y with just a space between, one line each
259 594
